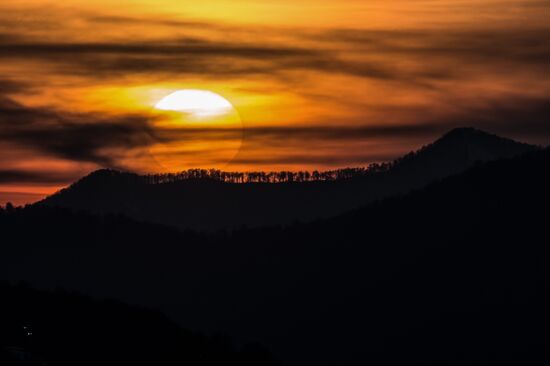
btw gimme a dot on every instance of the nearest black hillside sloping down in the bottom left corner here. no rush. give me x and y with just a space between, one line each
63 328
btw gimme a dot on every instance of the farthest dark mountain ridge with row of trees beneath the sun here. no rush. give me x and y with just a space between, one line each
208 203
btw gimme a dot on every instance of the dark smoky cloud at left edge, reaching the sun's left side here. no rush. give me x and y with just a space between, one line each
77 137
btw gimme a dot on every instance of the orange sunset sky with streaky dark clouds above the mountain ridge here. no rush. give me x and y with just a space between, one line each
314 84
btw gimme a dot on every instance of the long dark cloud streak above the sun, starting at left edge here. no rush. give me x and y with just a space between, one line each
174 57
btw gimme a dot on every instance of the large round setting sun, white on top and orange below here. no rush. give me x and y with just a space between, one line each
195 129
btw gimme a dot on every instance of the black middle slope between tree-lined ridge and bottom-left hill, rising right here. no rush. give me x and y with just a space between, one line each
453 274
